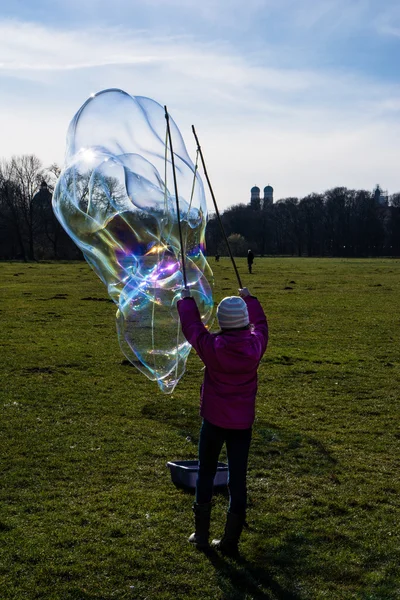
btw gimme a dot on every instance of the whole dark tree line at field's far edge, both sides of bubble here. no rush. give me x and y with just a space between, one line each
339 222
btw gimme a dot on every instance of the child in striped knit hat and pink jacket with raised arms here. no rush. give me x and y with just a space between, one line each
227 404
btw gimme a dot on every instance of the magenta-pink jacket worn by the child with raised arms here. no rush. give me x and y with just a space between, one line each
231 358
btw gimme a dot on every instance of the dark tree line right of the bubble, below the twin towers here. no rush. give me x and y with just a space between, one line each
339 222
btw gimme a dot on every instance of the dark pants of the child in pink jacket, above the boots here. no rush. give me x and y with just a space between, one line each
211 441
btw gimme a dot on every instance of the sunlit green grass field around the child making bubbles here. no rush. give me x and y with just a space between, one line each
87 507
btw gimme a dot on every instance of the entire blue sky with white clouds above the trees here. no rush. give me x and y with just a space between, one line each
303 95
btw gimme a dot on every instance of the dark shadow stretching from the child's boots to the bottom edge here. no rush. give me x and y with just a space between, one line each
237 578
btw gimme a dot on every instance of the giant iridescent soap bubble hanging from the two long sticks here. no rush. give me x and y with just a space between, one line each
115 198
